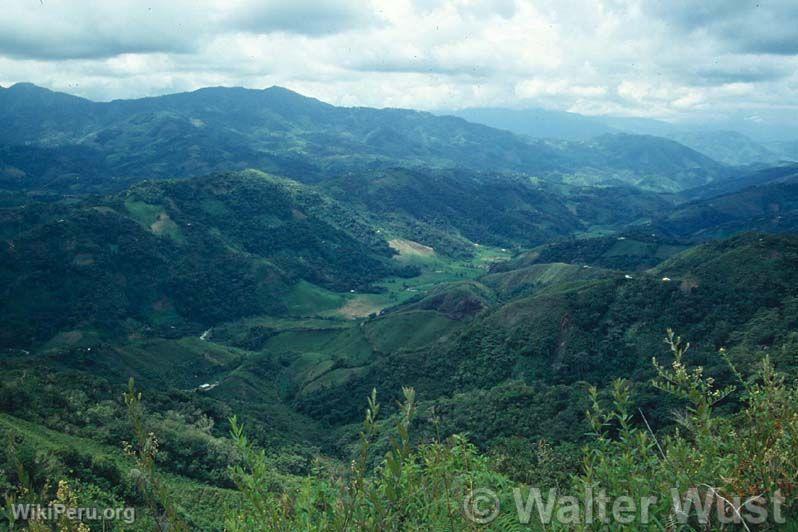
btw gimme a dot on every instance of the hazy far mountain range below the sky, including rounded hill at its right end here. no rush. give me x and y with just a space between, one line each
279 131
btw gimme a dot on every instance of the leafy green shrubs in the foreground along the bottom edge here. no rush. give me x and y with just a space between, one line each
738 464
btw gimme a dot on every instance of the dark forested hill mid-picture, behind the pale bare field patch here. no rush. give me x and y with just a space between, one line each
511 211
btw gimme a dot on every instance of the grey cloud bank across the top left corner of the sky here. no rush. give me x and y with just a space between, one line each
88 29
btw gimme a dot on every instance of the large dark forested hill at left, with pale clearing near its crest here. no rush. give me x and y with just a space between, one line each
179 254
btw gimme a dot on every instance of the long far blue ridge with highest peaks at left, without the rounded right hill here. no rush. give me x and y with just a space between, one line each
273 129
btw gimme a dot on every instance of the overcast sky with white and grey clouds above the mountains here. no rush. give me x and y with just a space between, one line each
672 59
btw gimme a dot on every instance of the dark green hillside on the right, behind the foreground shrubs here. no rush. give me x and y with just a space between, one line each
563 324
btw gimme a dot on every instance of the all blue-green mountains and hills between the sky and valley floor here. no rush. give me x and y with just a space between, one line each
363 192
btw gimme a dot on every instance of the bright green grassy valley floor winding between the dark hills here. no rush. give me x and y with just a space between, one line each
326 342
